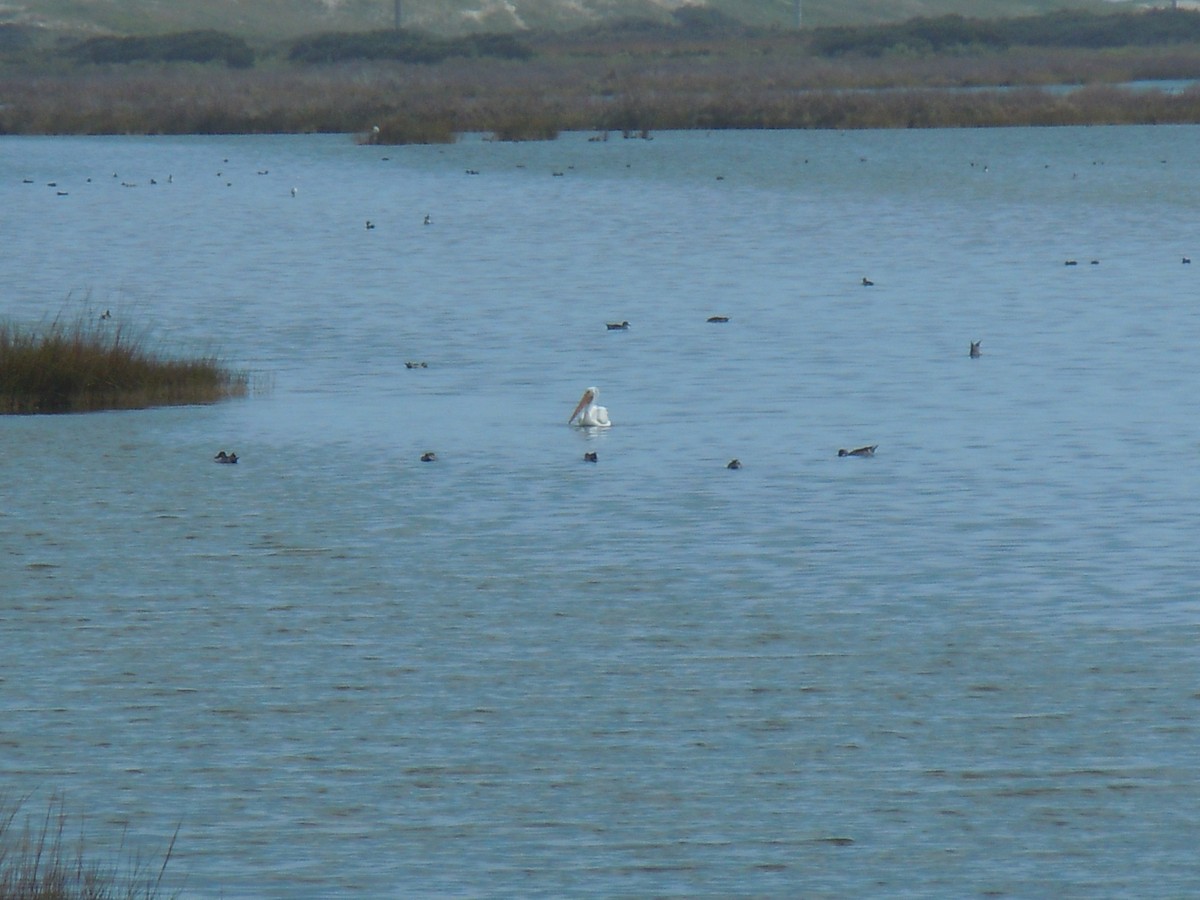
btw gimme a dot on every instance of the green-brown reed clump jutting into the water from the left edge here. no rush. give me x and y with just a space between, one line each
88 367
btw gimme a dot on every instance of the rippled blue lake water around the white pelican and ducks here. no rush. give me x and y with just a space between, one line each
965 667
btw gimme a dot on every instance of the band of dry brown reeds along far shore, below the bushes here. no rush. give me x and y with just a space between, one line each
772 86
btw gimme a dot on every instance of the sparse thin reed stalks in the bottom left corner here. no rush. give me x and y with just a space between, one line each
37 863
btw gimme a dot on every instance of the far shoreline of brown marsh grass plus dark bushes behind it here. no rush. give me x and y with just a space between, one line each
947 73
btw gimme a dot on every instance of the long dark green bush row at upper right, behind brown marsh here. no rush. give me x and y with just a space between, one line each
949 34
